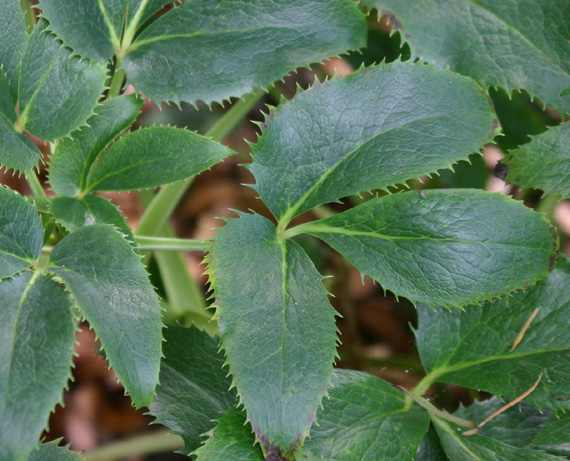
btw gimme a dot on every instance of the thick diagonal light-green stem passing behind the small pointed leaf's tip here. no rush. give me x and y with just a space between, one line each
167 199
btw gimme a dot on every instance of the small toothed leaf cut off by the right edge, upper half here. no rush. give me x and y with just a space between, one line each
544 163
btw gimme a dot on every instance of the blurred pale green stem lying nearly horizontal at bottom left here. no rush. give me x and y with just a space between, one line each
157 442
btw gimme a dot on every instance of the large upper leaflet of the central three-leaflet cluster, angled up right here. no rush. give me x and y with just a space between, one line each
382 126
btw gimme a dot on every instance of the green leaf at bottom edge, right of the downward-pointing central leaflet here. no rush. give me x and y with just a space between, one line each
365 418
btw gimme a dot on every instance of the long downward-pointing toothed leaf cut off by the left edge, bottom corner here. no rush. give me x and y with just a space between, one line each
37 331
